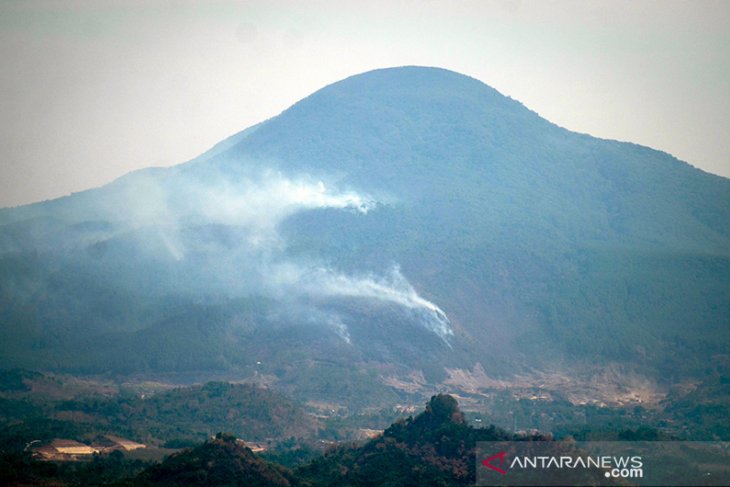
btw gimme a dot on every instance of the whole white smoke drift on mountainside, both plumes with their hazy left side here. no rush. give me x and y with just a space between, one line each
220 232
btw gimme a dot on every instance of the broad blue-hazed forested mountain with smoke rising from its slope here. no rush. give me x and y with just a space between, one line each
401 230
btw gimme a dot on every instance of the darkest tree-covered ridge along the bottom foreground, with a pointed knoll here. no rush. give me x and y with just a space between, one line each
436 447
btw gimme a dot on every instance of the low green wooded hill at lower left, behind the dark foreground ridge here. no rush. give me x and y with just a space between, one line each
173 418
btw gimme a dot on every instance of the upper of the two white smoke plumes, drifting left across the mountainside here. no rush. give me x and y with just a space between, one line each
256 202
